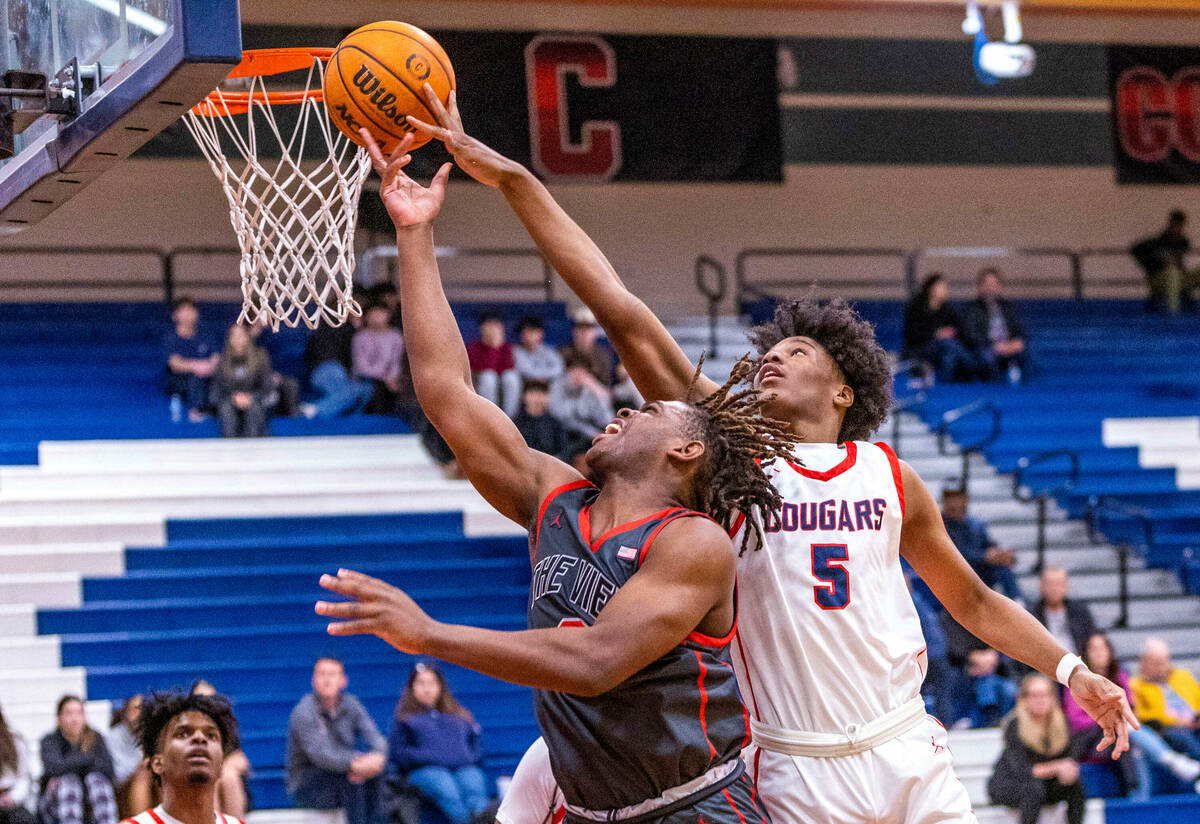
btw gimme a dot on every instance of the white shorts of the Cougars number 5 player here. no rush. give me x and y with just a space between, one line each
909 780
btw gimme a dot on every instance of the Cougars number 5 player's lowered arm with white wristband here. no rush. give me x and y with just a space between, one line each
997 621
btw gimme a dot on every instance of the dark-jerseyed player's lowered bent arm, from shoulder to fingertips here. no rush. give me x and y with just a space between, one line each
686 584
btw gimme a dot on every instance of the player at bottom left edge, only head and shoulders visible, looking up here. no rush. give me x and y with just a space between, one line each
187 738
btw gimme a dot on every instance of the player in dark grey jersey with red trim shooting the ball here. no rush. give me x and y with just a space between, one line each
633 603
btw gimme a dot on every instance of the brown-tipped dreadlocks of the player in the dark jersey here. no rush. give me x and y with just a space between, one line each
739 442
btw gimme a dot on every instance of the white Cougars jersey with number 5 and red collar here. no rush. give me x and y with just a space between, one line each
829 637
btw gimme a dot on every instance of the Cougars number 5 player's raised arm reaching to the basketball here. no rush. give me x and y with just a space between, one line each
656 363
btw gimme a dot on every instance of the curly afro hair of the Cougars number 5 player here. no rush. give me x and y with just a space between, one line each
851 342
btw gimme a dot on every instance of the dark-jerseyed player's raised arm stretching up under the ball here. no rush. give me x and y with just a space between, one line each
488 446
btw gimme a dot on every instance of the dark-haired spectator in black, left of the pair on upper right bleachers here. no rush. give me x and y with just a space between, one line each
933 333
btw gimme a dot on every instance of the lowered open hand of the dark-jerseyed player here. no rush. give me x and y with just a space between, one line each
377 609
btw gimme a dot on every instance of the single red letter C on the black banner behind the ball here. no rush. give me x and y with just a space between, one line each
549 61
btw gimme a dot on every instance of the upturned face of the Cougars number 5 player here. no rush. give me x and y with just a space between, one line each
797 377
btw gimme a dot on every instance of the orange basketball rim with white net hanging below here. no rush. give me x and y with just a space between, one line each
296 227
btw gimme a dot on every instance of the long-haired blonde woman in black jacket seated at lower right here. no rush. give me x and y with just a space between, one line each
1037 766
